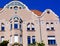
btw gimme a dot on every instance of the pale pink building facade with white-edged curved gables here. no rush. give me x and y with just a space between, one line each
21 25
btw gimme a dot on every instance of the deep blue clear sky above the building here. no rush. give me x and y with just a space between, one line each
40 5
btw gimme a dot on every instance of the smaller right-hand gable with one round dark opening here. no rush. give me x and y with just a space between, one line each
49 15
